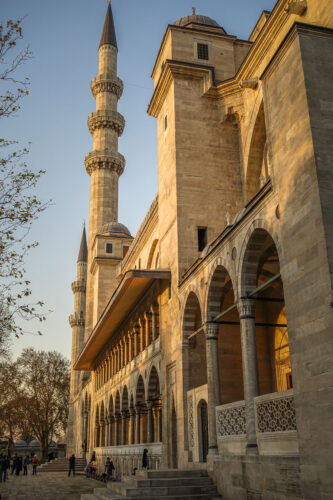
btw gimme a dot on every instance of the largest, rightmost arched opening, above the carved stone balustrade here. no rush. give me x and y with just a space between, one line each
261 266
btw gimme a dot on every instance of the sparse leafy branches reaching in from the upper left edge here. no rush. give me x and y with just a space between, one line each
19 205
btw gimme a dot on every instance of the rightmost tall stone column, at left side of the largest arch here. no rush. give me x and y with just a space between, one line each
246 308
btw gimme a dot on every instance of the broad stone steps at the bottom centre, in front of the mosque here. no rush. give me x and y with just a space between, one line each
159 485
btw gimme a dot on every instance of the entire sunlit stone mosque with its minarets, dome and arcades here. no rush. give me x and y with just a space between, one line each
207 337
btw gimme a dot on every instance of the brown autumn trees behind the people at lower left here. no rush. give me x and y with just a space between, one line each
35 391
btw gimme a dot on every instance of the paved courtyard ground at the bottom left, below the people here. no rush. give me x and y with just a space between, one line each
47 486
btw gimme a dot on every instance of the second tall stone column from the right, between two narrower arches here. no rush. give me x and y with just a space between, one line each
213 385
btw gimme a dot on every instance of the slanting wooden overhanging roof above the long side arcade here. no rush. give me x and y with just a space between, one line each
131 288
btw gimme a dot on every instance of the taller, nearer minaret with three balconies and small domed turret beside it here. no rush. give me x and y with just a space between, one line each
108 239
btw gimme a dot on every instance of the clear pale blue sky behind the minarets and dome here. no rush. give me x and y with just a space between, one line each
64 37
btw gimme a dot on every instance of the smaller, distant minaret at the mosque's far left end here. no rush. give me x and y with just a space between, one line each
77 323
